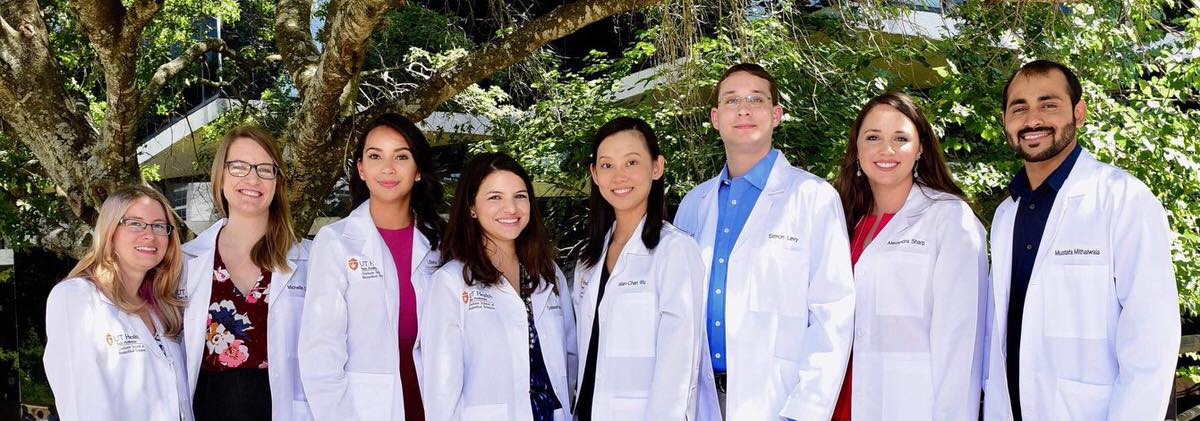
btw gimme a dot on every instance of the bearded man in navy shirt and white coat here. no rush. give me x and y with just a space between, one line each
1087 323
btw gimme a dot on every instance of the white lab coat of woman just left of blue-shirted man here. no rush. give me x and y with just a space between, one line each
651 322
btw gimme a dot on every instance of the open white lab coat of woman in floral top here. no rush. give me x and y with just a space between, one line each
285 300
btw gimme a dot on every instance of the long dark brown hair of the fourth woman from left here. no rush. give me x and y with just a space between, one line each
465 238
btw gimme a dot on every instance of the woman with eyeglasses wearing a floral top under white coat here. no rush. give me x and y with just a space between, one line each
244 281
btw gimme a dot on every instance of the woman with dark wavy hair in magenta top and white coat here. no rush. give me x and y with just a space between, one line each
368 279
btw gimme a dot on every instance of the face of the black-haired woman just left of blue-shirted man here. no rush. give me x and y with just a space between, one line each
625 171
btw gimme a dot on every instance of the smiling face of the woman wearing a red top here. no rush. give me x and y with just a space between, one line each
889 147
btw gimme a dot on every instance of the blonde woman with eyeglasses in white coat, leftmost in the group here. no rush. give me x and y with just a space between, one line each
112 327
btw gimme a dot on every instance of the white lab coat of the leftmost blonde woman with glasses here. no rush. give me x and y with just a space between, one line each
105 365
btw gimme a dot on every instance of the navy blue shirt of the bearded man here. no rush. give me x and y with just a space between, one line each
1033 212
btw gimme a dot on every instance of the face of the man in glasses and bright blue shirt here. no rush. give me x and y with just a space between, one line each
745 127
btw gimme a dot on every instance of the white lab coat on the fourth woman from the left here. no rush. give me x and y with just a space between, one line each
475 347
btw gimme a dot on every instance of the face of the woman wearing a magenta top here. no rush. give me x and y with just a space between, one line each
388 167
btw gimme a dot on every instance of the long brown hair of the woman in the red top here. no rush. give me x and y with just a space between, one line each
856 194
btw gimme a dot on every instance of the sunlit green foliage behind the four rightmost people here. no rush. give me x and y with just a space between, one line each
1142 86
